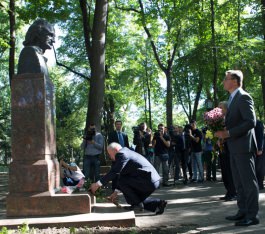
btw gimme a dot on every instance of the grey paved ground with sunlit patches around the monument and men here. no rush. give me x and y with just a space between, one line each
195 206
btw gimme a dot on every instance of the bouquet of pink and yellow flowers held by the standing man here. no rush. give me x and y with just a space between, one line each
214 119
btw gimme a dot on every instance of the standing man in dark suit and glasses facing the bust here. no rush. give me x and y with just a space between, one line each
240 121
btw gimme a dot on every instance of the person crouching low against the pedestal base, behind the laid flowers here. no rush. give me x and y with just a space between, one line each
71 174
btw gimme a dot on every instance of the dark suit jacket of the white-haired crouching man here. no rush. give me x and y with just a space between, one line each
129 163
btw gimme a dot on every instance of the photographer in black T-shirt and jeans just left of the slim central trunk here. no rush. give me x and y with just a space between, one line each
161 144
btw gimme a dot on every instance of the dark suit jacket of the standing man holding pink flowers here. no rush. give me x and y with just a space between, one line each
240 121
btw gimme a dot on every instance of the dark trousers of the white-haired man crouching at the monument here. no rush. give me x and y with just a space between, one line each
137 189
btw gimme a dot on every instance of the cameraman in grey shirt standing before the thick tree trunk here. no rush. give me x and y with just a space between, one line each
93 143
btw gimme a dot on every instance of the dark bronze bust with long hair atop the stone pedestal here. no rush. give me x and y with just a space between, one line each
39 37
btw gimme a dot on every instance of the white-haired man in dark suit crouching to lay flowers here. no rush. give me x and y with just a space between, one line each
137 179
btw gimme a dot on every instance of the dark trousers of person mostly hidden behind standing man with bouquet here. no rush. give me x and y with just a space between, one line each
226 172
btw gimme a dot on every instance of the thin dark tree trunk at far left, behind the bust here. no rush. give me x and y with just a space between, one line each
12 22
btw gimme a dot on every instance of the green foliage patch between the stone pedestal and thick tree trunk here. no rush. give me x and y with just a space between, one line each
70 116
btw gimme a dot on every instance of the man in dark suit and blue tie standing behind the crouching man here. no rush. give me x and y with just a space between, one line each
118 136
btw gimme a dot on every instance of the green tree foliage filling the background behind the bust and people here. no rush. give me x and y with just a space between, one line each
132 68
